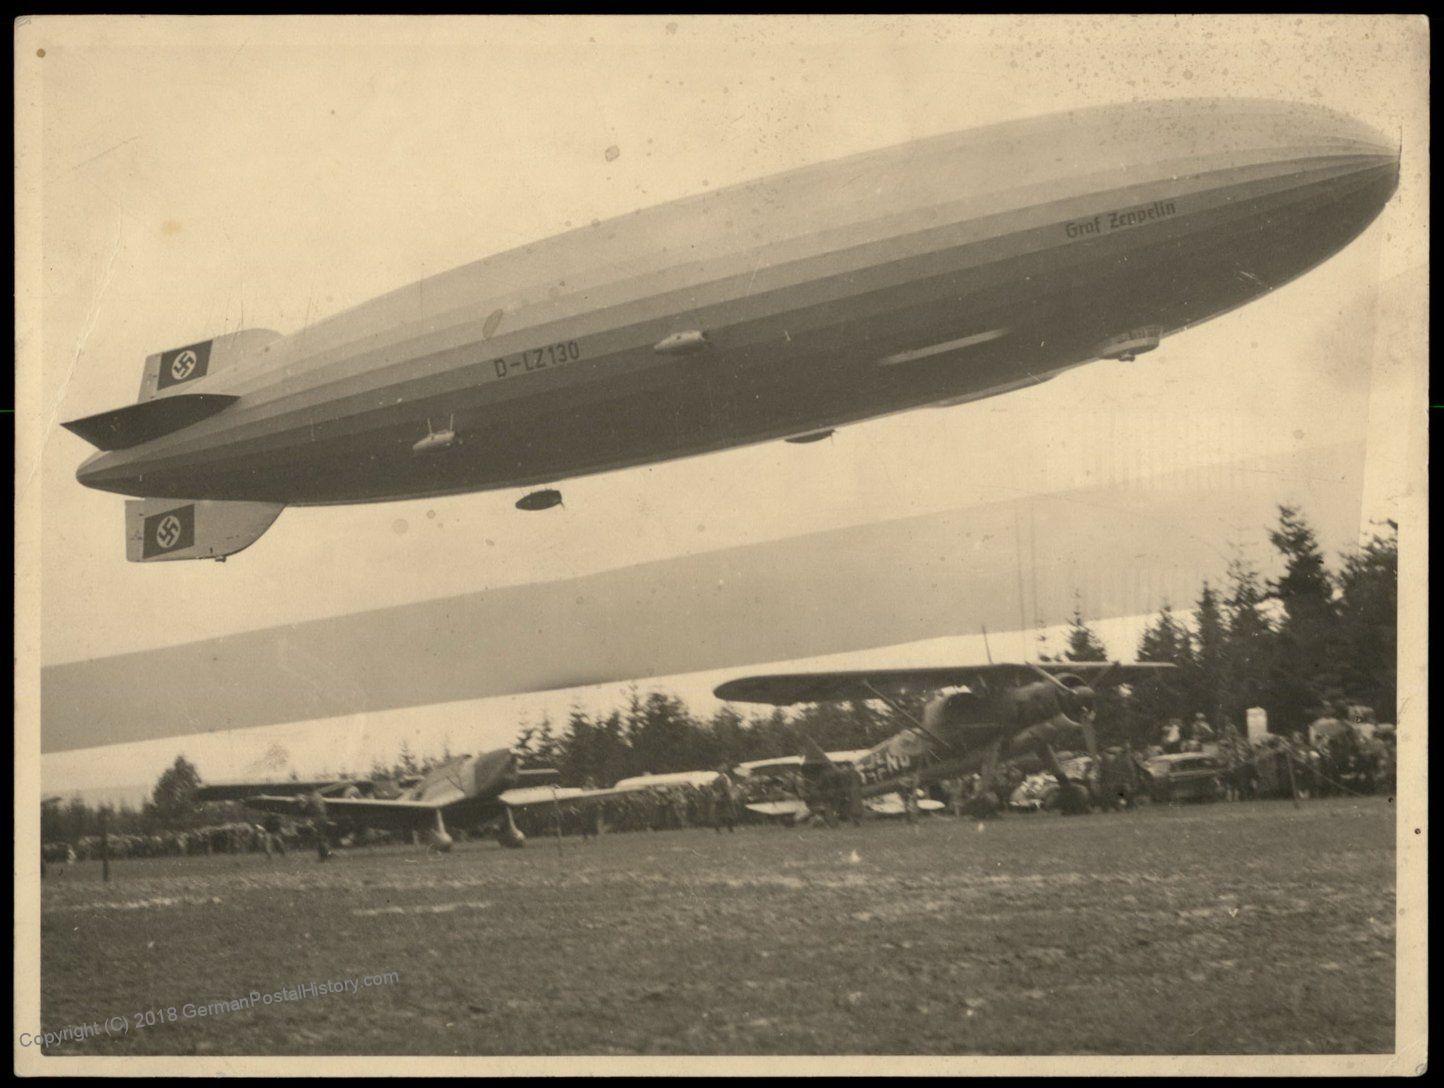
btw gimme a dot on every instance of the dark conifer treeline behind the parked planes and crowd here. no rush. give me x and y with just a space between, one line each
1295 645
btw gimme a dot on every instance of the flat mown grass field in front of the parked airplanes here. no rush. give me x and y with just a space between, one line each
1256 928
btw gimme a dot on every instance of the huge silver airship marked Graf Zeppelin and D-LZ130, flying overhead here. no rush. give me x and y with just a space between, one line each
932 274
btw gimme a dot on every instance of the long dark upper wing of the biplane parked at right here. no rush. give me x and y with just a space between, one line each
785 690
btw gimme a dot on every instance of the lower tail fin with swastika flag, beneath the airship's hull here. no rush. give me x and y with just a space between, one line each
164 530
